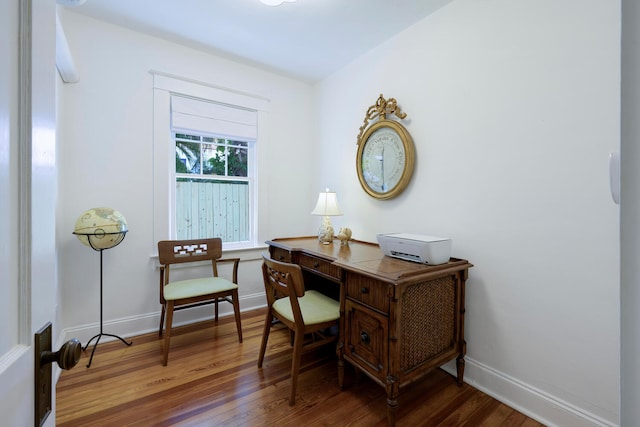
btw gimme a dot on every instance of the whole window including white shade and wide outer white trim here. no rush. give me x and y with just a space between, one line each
206 174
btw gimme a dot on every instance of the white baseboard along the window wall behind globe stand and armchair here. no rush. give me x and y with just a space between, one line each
127 327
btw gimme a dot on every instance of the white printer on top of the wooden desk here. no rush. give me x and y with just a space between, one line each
416 247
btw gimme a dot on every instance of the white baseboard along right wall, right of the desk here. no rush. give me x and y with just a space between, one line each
534 403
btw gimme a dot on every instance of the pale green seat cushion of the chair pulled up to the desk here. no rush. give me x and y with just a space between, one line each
315 308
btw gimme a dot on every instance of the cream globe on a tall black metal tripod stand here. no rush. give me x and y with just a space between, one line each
100 229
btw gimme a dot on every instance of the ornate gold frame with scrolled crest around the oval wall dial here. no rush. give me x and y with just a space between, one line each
380 110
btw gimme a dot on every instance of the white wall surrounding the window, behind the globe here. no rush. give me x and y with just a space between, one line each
106 159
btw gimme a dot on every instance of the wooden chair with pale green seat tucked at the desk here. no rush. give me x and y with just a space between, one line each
304 313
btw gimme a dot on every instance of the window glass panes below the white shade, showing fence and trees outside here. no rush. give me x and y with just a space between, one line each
212 188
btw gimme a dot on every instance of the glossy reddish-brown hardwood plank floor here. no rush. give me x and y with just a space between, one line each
212 380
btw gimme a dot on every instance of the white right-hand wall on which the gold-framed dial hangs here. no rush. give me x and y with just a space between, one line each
513 107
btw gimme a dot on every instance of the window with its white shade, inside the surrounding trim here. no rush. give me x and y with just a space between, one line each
213 169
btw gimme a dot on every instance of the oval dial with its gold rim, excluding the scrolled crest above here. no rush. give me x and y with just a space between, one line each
385 159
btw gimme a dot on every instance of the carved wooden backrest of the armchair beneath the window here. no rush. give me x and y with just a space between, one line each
193 250
